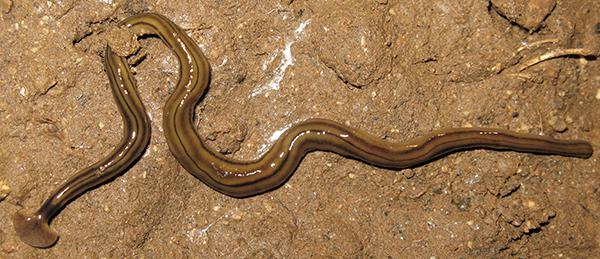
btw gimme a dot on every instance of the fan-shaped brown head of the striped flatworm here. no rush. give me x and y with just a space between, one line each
34 230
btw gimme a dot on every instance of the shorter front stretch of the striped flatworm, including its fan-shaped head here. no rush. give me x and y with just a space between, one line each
34 229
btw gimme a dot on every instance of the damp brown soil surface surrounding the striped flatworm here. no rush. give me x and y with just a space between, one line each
394 68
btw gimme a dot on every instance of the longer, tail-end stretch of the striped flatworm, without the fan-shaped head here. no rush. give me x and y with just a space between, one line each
246 178
